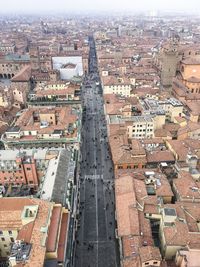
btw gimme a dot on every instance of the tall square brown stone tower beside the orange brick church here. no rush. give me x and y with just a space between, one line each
169 60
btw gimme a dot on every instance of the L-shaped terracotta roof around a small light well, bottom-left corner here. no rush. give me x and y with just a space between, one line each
10 218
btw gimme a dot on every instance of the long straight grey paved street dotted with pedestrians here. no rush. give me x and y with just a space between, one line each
95 238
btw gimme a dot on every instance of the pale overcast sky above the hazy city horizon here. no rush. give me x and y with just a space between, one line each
34 6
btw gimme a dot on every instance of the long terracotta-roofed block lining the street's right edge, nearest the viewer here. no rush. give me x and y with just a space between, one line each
133 229
